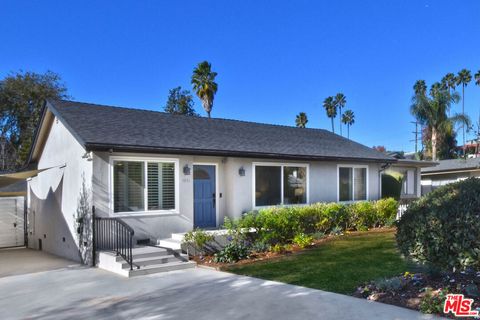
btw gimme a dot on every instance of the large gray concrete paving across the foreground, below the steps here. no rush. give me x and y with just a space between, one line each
87 293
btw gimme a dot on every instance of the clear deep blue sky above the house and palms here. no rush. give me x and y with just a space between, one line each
274 58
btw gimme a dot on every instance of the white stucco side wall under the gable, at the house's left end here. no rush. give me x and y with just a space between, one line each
53 194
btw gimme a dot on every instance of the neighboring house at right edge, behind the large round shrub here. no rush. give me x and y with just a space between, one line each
449 171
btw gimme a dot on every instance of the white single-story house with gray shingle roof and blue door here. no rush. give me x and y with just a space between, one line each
163 174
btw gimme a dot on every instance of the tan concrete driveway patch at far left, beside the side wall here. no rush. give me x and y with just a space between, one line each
17 261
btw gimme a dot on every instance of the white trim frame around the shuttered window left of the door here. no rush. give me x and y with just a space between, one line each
144 212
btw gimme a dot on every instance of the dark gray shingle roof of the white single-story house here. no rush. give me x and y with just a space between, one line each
103 127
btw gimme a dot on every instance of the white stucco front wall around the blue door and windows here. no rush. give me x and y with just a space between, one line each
236 190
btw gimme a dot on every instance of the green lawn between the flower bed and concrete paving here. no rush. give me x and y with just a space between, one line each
339 265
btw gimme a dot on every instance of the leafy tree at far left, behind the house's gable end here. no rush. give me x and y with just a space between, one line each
22 97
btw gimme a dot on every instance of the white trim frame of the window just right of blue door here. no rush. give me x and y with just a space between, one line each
282 191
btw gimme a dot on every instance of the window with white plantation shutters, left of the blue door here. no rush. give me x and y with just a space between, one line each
140 186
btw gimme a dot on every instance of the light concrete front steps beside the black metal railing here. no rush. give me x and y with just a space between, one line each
148 259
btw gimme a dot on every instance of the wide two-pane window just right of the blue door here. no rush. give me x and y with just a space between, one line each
280 184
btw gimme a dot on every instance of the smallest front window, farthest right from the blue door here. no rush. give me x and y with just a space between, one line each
352 183
